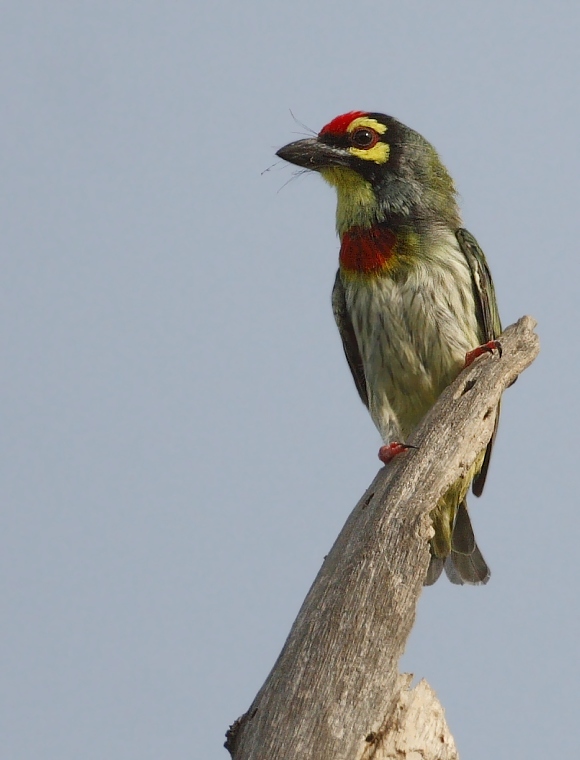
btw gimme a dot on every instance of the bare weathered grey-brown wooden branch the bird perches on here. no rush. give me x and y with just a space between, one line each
335 692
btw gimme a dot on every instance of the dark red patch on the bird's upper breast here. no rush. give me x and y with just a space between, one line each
367 250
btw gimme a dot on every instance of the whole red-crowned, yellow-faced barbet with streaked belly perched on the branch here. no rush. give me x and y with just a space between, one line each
413 298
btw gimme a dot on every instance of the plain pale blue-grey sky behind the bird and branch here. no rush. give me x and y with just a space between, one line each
181 438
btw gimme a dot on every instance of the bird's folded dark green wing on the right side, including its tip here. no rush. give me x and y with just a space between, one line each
488 320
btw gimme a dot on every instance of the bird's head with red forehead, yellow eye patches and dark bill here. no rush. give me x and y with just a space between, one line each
382 170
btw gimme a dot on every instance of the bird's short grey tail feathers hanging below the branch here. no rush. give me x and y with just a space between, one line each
465 563
